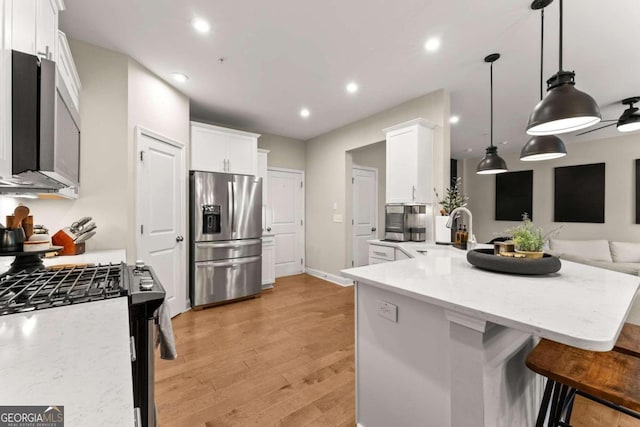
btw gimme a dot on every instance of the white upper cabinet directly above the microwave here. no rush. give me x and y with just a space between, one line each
35 27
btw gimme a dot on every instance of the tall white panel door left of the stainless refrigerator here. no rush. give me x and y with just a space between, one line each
161 204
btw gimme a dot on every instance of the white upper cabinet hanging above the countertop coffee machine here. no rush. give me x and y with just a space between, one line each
409 162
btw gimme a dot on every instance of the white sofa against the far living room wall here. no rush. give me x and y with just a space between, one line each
618 256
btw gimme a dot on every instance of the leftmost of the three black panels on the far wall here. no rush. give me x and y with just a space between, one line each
514 195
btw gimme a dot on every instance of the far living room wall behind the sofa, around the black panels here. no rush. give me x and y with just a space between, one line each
618 153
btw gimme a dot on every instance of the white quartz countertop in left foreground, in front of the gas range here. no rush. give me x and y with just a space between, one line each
76 356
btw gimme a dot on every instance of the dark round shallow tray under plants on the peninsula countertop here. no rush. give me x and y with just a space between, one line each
486 260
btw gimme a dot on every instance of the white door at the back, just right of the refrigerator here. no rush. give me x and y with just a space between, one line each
286 208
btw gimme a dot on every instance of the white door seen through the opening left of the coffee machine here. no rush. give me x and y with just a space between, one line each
365 212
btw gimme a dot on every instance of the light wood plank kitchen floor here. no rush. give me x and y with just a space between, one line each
286 358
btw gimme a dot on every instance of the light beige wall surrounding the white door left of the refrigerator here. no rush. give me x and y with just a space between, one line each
117 94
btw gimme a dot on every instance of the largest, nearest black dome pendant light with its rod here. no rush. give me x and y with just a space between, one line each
565 108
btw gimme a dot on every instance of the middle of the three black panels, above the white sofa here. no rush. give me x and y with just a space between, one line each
579 193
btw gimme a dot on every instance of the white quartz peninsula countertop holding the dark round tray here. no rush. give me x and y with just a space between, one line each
581 306
